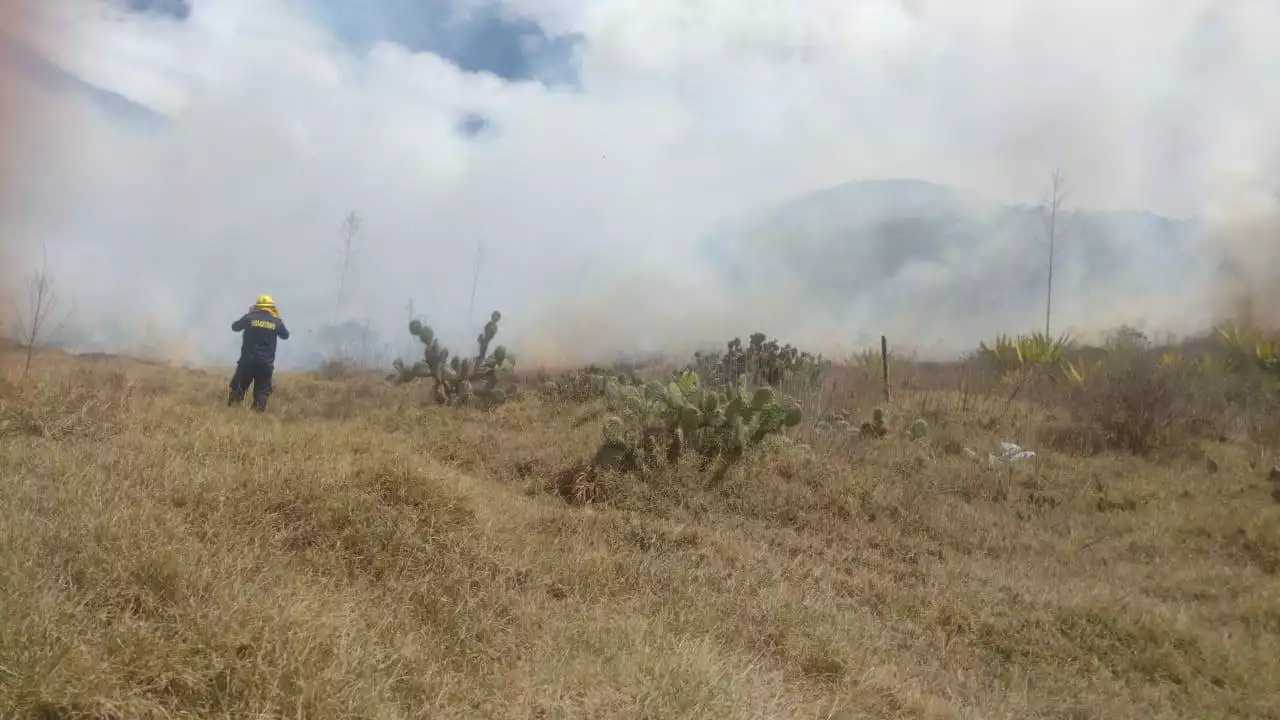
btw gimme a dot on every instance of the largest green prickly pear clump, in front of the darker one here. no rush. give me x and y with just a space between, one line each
653 423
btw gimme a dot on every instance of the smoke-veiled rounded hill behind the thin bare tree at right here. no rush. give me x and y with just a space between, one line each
950 266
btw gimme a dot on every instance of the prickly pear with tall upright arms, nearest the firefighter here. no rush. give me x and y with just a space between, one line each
461 381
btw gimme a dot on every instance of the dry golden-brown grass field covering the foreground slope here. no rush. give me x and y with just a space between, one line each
358 554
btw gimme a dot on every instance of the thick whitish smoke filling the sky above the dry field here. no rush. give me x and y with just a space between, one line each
179 165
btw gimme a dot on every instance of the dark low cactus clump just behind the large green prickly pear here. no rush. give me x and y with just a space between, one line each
761 362
